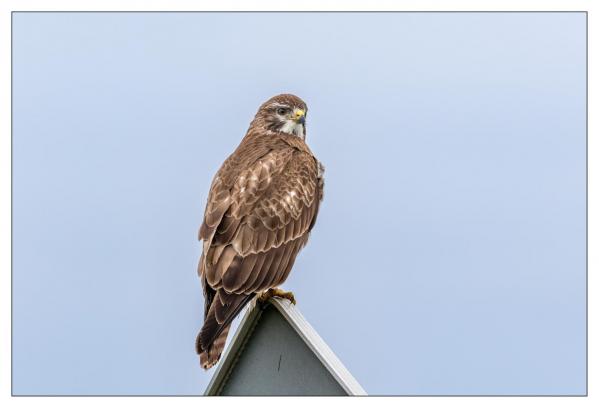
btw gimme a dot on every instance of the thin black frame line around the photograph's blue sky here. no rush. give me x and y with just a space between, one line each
317 11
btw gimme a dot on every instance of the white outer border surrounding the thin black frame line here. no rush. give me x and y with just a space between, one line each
6 6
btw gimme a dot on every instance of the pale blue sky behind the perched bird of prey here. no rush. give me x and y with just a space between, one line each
449 254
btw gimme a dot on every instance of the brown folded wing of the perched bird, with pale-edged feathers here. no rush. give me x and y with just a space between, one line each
254 230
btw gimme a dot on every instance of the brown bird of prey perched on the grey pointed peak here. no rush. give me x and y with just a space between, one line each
261 207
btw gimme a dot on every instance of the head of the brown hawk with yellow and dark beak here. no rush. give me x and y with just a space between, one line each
284 113
